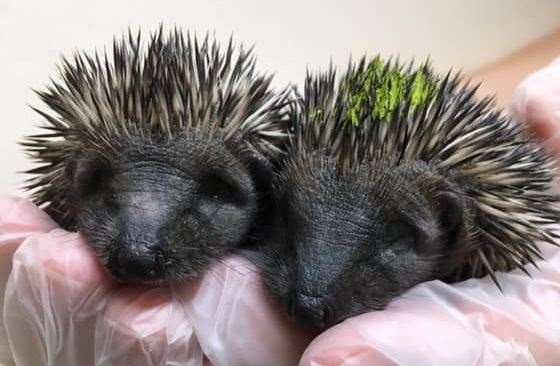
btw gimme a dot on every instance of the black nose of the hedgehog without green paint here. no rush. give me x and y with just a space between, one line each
136 266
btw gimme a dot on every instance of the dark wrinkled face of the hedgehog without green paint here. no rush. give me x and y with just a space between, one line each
163 211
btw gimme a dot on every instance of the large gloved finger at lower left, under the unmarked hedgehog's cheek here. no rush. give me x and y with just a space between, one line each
49 315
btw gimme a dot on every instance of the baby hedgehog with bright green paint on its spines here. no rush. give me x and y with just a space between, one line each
396 175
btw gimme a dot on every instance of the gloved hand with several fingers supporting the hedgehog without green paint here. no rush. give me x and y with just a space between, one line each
62 308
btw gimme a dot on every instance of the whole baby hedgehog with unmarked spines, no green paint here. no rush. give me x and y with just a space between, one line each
159 154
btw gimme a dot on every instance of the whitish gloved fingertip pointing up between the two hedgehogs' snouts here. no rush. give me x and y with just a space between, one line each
236 323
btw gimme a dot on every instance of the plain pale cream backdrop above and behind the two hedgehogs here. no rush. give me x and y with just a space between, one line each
478 36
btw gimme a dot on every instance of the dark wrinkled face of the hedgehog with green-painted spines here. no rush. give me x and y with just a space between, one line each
349 242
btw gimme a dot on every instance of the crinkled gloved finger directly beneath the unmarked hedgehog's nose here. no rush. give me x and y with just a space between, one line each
146 326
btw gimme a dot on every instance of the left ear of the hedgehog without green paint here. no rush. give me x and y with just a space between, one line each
86 173
